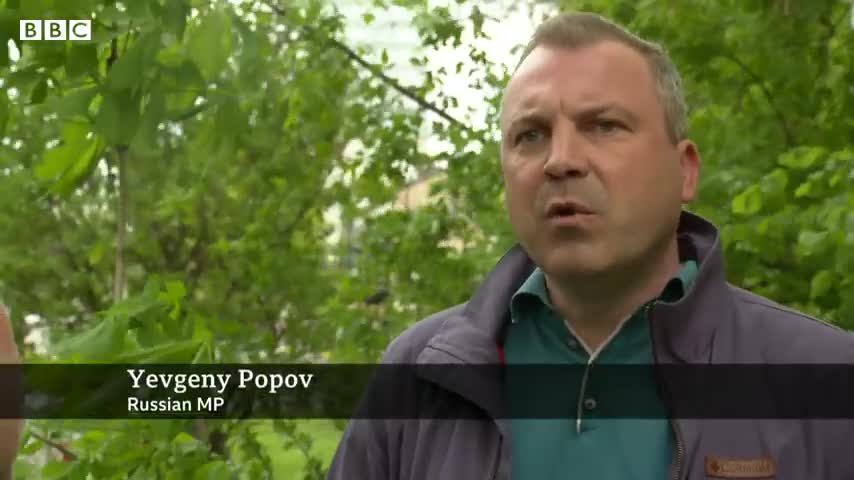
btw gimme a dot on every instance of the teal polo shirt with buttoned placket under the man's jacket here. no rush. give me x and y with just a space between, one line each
585 446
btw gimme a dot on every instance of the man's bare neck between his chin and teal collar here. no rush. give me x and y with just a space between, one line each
595 306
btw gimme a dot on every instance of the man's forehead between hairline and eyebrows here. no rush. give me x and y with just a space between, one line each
604 72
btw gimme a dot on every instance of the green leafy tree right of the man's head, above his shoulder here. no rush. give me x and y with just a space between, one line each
768 83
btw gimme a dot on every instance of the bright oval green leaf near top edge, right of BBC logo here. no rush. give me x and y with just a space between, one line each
211 43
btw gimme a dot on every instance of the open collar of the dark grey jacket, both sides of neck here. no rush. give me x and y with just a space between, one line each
683 332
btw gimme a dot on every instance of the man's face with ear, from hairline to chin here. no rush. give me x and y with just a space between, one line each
593 181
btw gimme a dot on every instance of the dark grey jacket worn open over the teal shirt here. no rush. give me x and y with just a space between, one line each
715 323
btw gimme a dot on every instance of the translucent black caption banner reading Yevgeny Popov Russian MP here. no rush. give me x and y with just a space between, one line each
105 391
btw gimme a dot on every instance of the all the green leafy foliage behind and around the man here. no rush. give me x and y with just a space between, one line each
242 123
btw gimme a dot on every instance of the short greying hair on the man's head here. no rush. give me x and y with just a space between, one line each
581 29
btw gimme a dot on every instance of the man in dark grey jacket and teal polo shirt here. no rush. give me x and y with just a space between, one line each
608 269
